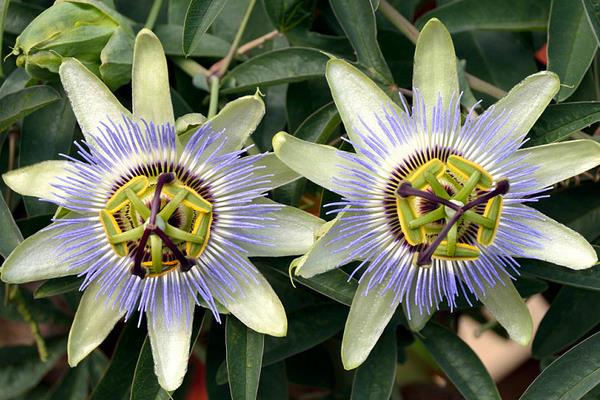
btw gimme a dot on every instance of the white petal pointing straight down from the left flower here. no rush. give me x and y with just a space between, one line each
170 341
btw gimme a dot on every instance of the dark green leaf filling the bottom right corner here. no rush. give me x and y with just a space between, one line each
571 376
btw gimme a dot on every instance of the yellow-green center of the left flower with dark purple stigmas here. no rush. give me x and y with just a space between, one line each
159 222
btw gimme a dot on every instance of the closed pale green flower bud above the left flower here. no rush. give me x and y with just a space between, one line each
99 37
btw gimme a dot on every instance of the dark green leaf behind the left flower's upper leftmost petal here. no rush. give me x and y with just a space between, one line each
46 133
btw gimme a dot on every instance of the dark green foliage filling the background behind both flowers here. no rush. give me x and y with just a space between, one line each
284 50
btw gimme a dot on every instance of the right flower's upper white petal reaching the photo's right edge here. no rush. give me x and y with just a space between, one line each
558 161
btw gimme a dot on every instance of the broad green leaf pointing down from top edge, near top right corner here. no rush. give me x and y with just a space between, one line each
571 45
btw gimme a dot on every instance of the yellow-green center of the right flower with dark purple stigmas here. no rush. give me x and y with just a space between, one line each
439 202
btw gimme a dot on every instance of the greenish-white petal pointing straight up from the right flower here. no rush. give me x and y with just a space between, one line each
434 73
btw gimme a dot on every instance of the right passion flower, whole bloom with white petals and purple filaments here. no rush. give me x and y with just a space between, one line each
434 209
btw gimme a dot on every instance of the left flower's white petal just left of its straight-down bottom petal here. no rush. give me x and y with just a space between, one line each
94 319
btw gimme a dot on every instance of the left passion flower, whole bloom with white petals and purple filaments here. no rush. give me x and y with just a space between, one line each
158 222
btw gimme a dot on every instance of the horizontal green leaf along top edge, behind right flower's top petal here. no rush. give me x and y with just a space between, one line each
512 15
